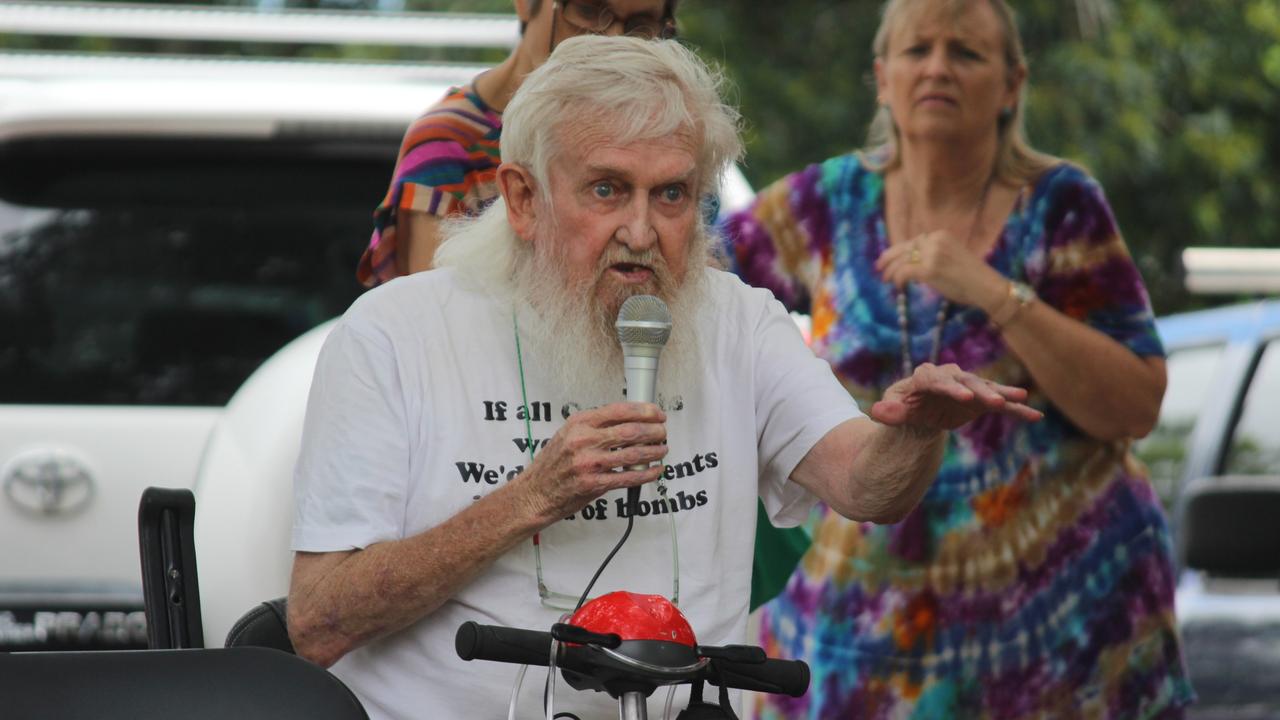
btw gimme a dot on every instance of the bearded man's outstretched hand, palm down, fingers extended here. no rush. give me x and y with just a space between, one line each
944 398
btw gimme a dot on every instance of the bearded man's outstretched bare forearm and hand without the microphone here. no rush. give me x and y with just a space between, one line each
877 470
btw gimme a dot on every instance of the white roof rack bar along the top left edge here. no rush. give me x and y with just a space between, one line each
241 25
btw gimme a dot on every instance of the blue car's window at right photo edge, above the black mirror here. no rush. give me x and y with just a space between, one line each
1255 449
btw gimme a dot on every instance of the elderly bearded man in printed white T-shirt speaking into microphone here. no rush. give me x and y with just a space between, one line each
468 445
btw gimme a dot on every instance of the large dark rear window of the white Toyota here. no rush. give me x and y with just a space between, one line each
166 272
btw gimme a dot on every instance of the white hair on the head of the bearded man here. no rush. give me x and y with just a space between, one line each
643 89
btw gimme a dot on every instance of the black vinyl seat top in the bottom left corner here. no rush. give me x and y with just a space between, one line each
237 683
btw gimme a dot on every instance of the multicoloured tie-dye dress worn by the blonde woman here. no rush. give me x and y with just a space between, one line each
1035 580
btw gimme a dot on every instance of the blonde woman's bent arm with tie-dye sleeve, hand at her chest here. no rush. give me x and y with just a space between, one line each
1101 385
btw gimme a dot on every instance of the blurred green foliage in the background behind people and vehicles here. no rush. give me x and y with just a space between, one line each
1173 104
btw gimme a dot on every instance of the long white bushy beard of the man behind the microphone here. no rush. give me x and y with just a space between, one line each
568 329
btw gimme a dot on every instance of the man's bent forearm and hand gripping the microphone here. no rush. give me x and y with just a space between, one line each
342 600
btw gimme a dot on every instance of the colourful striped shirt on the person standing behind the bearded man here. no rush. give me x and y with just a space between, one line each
446 167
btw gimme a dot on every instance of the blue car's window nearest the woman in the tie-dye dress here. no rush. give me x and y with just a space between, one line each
1191 372
